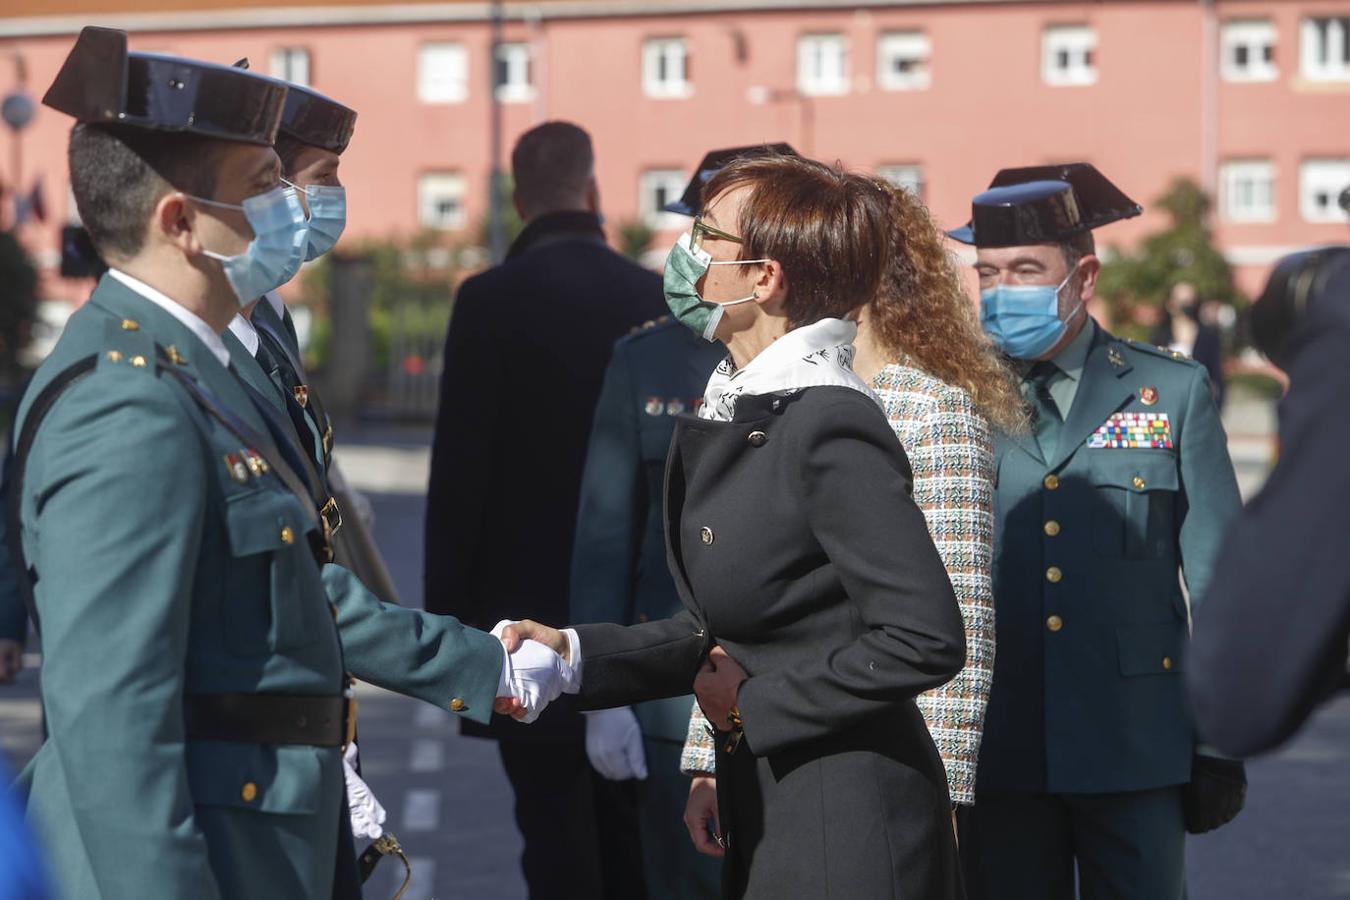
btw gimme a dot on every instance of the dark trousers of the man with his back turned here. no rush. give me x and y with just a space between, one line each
581 832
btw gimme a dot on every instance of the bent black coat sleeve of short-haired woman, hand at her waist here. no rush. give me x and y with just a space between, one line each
858 500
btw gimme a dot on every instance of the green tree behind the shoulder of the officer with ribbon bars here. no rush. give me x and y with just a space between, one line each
1185 252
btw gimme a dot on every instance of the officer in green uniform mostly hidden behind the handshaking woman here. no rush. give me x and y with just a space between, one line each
619 567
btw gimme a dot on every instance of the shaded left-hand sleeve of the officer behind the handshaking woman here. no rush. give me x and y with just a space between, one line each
611 515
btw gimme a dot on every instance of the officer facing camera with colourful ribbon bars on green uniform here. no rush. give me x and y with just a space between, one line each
1125 480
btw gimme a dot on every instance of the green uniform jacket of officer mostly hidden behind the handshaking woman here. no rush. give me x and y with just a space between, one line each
619 561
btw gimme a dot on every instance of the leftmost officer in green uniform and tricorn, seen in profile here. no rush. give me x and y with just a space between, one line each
194 678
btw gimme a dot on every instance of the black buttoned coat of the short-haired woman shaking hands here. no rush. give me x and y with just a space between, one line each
797 547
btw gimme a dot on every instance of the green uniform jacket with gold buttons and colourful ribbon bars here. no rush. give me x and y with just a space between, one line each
1087 694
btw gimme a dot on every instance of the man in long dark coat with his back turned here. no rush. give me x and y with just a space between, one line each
524 362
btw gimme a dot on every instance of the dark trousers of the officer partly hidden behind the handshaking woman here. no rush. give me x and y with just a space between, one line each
676 871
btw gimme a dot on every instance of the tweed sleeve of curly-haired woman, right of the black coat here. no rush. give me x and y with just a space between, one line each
954 488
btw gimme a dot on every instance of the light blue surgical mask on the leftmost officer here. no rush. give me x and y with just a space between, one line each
277 249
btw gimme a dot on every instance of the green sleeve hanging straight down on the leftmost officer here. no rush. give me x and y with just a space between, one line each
114 526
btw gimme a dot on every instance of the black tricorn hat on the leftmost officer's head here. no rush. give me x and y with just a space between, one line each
102 83
